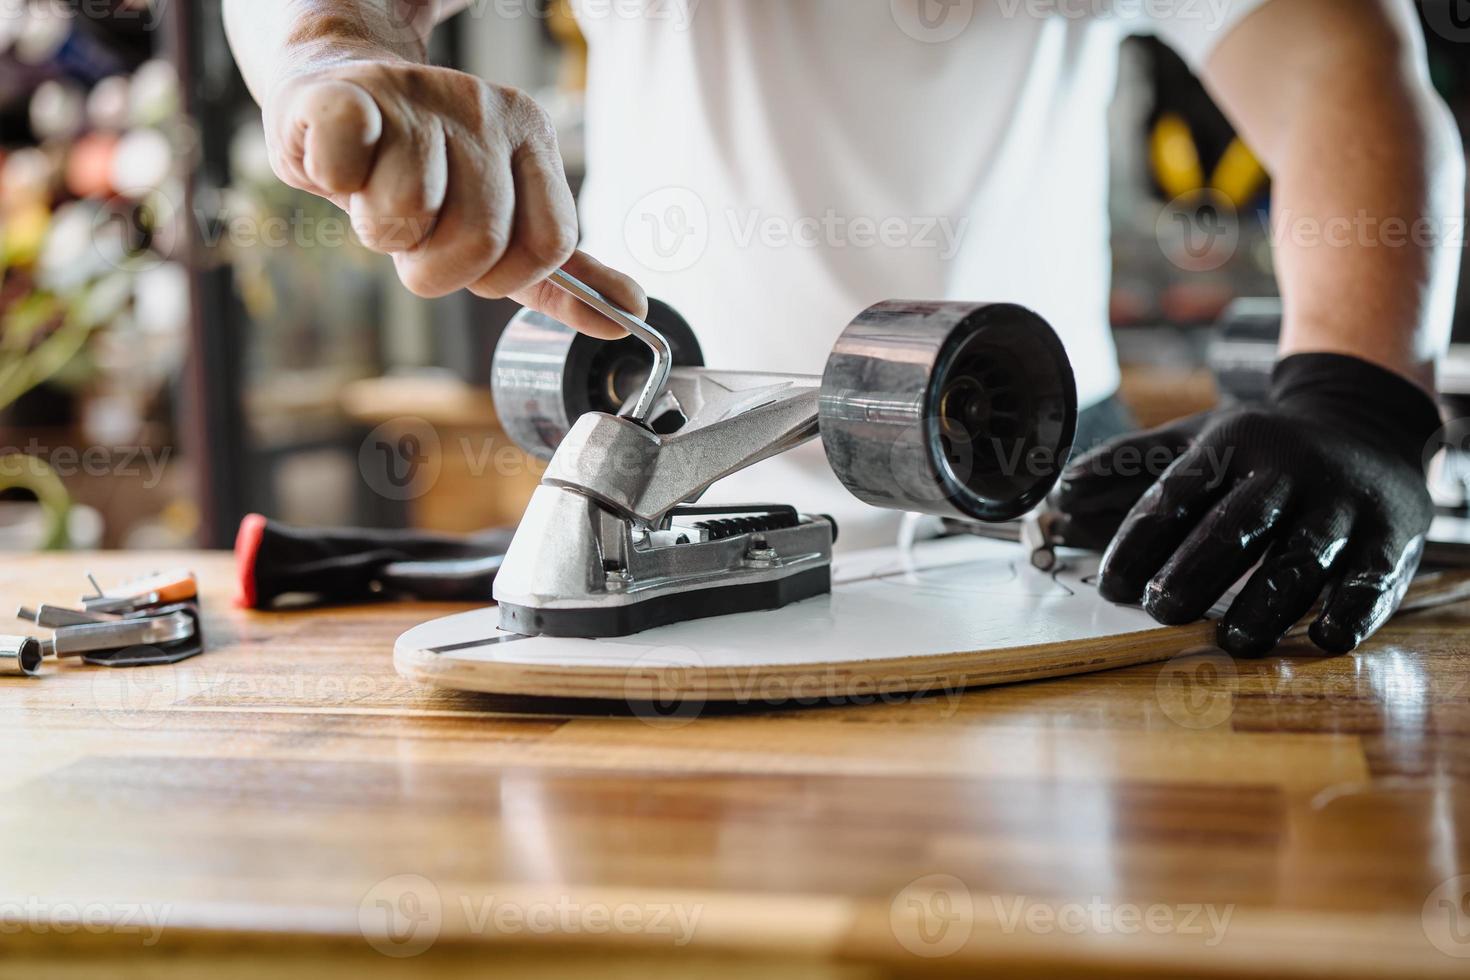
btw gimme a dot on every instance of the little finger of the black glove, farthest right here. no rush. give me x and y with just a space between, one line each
1375 577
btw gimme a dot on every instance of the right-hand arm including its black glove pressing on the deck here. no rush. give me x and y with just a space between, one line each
1319 487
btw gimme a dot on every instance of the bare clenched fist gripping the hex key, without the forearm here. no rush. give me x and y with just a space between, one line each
458 180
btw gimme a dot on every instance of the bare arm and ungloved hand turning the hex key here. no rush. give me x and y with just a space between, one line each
456 179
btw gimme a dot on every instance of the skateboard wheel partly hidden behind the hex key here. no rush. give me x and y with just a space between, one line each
546 375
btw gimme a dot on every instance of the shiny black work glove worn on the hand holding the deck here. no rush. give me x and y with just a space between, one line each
1324 484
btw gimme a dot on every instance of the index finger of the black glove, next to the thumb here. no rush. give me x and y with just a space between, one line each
1159 524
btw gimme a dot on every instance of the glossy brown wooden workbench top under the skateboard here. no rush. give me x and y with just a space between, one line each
270 803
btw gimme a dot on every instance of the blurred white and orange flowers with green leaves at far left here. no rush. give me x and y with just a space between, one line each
86 228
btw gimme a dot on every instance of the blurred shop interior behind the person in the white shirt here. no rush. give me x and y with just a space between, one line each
186 340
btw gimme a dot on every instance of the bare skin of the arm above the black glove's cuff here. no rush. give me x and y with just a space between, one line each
1369 176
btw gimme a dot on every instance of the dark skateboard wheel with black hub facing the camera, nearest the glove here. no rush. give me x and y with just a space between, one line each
952 409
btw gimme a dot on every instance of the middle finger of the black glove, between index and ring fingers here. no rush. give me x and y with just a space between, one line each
1222 547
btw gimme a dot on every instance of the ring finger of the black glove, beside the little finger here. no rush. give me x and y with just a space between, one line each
1288 583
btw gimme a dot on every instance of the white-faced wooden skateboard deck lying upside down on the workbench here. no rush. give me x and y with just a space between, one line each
947 615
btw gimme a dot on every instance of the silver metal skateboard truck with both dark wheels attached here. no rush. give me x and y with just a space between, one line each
965 411
